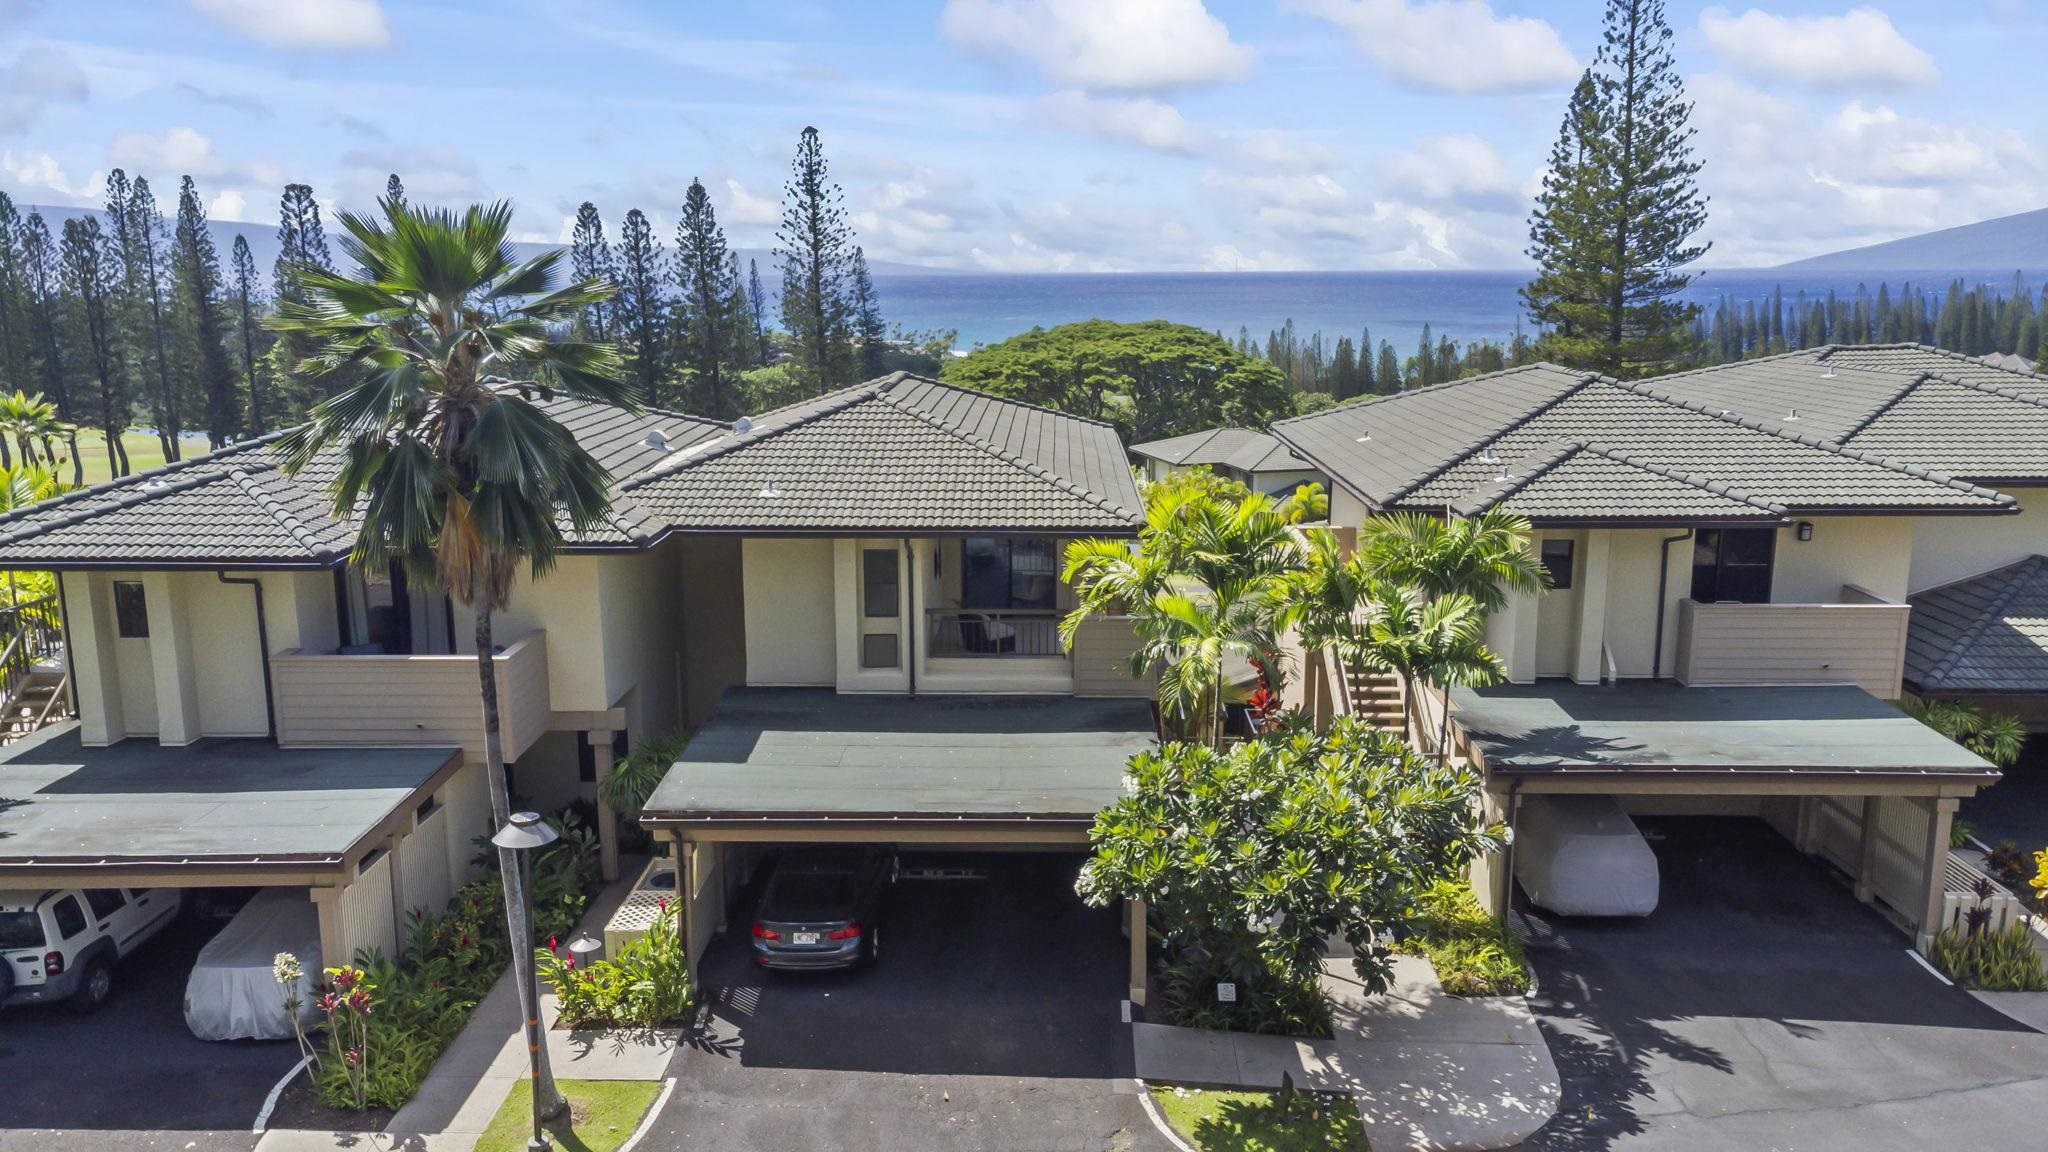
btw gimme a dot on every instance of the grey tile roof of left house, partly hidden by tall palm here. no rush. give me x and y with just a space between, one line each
239 507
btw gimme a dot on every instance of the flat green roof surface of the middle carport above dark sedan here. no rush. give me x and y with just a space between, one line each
812 755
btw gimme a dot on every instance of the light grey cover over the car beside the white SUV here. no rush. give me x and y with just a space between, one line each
232 991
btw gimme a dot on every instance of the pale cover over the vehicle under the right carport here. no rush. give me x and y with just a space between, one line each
1582 856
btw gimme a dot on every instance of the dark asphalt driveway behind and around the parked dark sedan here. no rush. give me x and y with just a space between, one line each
992 1020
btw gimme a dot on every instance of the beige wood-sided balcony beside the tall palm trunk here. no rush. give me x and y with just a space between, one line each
378 702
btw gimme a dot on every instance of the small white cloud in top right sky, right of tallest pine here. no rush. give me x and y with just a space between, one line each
1818 52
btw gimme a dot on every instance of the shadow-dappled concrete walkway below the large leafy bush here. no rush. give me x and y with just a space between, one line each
1431 1071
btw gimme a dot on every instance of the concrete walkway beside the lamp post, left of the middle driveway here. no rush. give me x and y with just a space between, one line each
478 1071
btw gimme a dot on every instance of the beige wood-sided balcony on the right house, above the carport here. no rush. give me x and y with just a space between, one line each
1857 641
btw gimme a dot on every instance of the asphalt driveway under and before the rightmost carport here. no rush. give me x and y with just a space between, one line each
1764 1007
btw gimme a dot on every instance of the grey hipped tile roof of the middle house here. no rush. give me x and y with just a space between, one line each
900 456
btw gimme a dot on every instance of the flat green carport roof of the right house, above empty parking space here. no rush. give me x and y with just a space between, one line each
1664 731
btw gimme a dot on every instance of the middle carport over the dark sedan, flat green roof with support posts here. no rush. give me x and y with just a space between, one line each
941 772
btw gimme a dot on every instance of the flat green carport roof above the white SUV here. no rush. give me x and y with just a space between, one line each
216 803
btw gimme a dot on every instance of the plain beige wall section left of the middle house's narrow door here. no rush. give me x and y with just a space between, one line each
790 612
